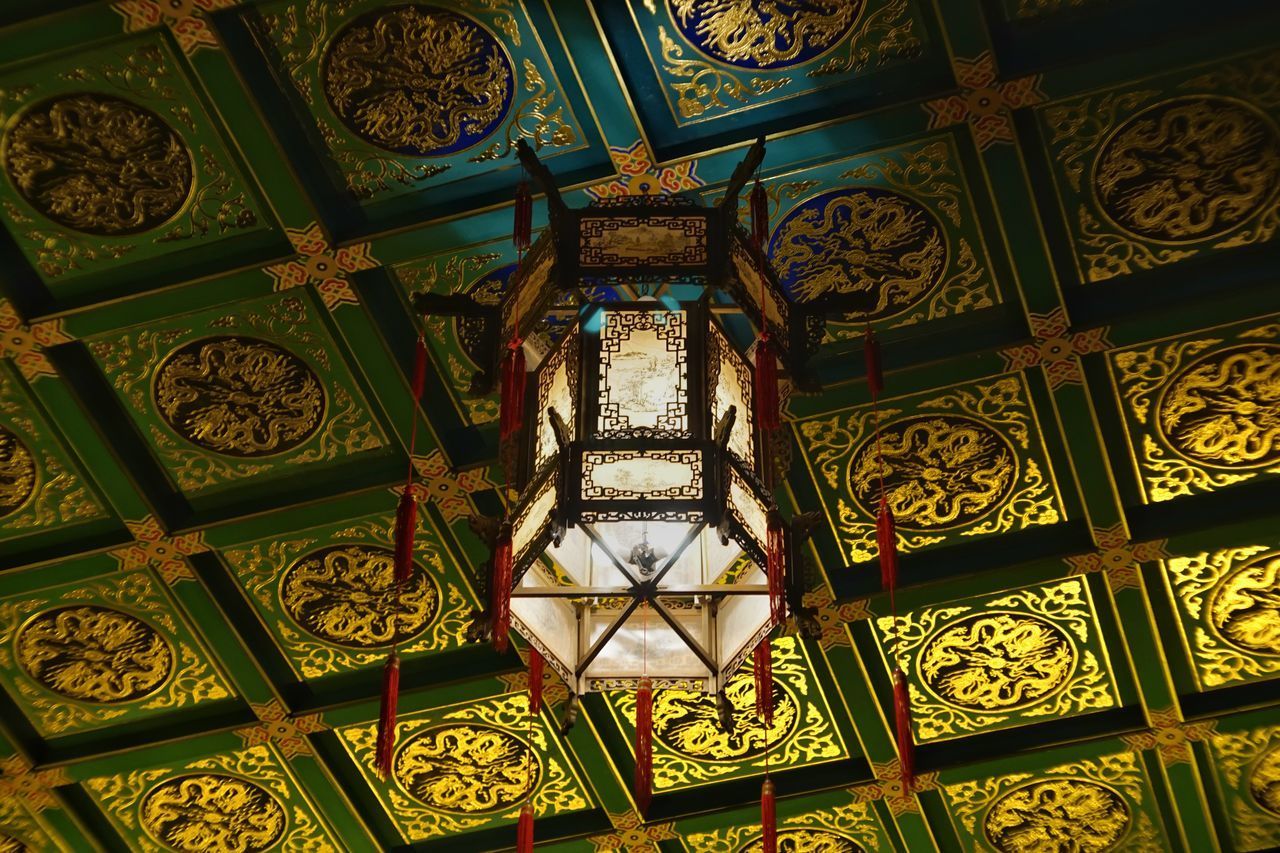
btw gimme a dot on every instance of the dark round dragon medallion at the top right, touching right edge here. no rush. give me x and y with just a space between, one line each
1188 170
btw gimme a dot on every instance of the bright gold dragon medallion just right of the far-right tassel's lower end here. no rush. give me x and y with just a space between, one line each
996 662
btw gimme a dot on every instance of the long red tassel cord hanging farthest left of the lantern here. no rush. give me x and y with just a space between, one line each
406 528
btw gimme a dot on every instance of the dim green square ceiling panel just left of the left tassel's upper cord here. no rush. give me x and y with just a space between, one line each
260 391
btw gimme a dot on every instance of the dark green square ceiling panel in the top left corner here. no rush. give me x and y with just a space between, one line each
75 215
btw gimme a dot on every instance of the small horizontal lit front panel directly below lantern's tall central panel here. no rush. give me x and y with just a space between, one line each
629 476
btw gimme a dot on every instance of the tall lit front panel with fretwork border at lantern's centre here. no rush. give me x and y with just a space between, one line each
644 372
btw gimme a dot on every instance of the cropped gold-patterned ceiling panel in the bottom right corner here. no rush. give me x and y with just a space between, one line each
1249 767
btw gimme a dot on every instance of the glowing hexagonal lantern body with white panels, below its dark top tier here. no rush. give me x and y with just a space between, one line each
638 496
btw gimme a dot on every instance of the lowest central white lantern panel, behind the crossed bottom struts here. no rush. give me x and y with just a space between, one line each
647 644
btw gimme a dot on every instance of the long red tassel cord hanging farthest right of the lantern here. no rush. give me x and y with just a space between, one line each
886 544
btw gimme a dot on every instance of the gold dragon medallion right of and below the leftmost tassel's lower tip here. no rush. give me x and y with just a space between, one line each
468 769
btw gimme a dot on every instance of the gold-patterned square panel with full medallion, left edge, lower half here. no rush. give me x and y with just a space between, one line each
88 655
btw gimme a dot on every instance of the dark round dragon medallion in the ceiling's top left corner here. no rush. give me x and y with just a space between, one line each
99 165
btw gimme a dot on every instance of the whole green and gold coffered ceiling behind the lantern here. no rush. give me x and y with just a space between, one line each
216 215
